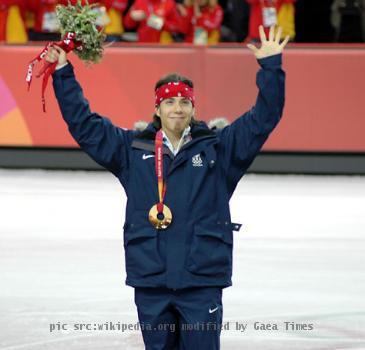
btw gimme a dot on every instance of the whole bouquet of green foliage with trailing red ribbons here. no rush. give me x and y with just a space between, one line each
81 34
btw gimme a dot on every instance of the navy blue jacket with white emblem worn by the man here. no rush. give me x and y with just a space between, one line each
196 249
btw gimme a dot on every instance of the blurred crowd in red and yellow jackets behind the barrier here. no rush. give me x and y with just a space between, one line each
192 21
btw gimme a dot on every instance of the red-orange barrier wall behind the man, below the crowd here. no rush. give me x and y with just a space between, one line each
325 103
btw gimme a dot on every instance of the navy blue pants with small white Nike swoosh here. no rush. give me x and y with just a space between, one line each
185 319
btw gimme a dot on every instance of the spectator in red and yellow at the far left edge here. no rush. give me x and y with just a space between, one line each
12 22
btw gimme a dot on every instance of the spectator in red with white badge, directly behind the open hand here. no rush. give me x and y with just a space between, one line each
264 12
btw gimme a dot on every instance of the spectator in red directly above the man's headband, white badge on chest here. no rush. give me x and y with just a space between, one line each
155 20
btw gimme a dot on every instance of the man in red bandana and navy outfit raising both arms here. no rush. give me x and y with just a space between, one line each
178 176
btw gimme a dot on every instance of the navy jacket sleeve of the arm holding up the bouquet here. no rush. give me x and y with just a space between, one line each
96 135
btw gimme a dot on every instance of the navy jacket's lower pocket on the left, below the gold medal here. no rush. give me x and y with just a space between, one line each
142 257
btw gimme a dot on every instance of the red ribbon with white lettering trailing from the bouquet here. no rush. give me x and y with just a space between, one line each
68 43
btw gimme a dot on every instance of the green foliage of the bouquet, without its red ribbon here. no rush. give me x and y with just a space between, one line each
81 20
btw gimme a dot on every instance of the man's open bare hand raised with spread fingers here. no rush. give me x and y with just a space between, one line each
269 47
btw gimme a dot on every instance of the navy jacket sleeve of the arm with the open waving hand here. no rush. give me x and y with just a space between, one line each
242 140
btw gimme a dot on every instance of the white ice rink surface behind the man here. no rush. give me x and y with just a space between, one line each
299 258
